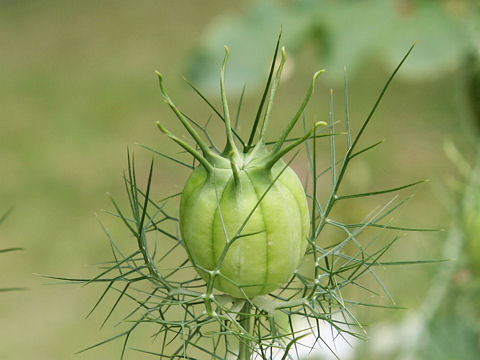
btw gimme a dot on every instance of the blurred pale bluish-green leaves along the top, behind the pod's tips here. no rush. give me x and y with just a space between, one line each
343 33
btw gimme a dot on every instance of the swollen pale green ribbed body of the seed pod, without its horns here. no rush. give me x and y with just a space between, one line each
259 263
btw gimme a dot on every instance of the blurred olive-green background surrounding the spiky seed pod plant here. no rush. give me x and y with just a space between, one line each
77 89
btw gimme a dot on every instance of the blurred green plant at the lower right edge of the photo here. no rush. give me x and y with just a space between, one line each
454 330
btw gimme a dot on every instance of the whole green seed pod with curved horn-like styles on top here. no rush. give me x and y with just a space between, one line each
244 217
